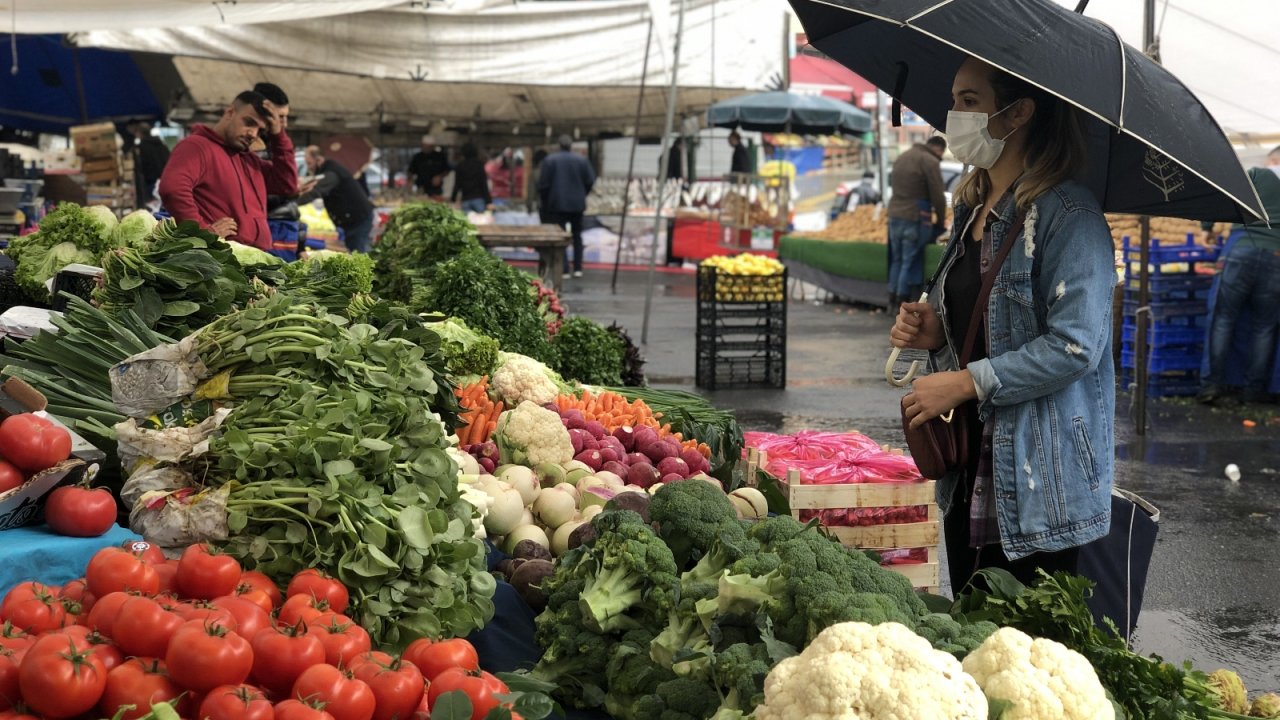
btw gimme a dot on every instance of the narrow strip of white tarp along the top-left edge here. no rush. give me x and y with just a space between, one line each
31 17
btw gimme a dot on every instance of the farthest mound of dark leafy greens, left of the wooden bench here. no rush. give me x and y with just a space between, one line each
419 238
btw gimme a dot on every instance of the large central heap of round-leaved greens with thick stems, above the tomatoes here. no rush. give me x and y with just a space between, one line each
335 453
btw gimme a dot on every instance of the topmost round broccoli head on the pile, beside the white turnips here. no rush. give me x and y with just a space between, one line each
692 516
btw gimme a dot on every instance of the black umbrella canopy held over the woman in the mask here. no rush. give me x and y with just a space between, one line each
1154 148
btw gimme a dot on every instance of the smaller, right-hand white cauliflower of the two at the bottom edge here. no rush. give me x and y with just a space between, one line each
1043 680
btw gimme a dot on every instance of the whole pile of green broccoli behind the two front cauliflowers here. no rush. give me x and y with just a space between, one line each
683 619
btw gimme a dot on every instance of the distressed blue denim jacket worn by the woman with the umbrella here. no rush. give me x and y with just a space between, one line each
1049 382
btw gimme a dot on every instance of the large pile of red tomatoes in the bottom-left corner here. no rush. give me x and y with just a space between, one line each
216 644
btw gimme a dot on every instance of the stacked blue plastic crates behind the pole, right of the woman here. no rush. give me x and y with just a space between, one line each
1180 316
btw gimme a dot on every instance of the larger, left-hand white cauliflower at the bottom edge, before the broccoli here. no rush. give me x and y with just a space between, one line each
860 672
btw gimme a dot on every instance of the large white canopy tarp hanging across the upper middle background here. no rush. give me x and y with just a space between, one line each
560 63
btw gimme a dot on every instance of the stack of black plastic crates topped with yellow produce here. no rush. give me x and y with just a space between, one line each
742 330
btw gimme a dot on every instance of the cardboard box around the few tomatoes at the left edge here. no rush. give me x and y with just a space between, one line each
25 505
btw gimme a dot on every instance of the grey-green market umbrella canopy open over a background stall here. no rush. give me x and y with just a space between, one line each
788 112
